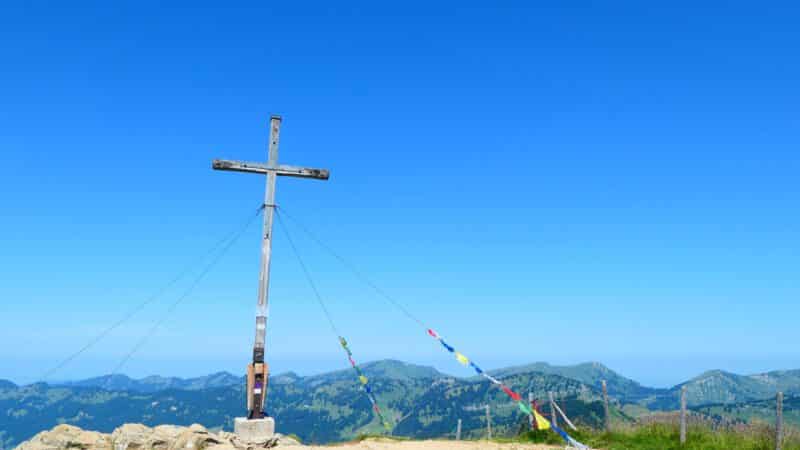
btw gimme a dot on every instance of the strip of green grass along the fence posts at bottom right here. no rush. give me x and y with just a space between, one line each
666 437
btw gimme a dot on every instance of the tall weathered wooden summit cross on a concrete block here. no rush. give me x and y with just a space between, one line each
258 371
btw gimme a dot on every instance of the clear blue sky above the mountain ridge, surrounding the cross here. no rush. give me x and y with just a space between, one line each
614 182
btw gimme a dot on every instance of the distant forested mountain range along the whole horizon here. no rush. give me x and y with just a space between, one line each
421 401
